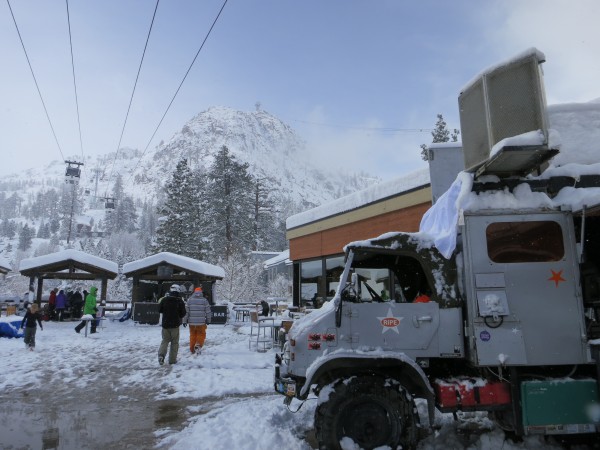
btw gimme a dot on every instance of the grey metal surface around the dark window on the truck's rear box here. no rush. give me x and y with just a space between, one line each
548 317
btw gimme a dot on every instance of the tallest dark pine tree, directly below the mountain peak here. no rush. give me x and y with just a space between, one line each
228 206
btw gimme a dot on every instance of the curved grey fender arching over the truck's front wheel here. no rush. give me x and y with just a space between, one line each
398 366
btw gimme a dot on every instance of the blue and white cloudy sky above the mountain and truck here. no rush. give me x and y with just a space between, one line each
352 77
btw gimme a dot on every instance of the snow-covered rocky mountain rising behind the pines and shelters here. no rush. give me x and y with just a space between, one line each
274 152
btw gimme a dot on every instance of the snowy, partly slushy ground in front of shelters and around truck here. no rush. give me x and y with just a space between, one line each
108 391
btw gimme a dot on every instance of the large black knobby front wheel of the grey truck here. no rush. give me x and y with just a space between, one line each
371 411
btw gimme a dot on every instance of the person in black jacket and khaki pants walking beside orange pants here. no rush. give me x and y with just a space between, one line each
172 308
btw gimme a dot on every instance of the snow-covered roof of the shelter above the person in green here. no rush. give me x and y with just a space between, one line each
68 260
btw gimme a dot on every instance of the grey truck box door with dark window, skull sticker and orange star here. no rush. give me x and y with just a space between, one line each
522 275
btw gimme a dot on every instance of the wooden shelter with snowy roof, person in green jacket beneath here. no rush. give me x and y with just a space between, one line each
68 265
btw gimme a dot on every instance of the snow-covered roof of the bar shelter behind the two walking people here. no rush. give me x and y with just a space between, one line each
151 263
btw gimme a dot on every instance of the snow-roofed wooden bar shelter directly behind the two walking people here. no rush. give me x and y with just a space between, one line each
153 275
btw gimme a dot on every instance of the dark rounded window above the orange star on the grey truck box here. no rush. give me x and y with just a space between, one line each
518 242
